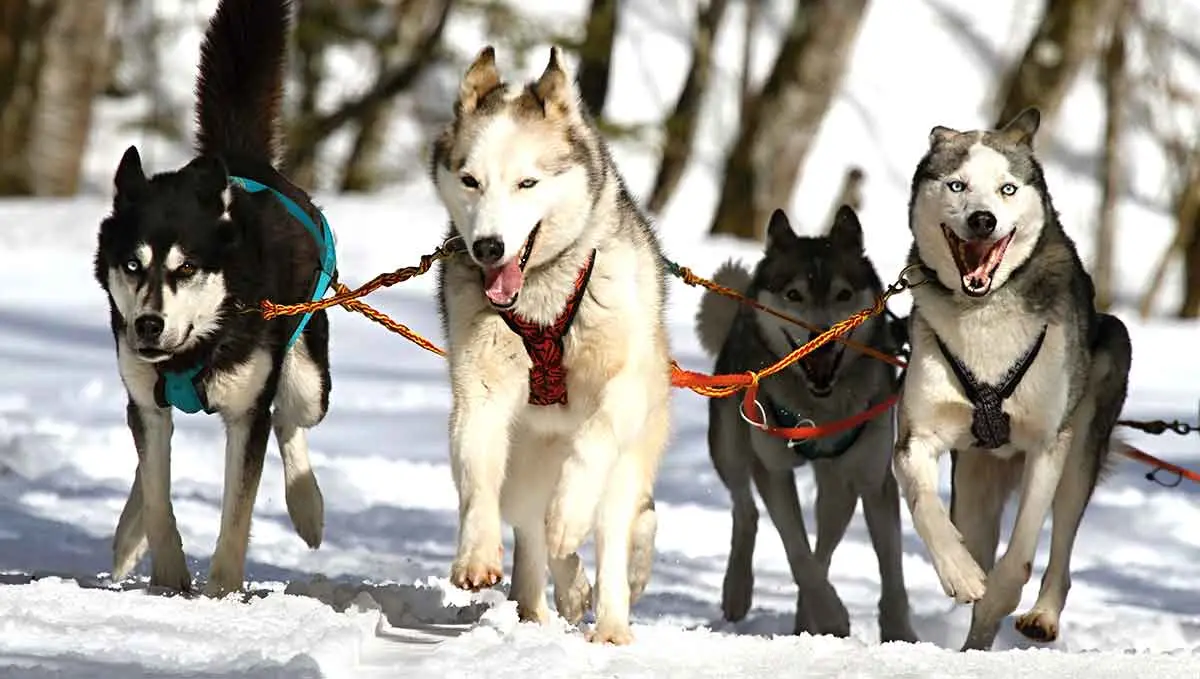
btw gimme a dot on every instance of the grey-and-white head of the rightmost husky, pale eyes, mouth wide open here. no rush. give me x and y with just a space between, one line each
979 205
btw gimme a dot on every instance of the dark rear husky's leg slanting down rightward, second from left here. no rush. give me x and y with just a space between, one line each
820 610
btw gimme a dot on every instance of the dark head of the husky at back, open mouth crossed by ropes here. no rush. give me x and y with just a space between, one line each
820 280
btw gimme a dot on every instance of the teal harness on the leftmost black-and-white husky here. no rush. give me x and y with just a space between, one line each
183 389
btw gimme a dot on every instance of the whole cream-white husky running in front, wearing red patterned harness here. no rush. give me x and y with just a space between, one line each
557 348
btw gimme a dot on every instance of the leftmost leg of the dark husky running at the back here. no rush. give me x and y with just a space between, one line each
733 458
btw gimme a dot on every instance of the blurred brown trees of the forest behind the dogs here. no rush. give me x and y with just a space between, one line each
62 59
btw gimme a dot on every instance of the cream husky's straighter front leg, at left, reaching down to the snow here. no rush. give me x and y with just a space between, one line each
479 452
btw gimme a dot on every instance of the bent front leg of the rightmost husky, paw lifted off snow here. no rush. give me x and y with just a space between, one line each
916 468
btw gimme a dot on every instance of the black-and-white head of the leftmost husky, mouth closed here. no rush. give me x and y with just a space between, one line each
167 287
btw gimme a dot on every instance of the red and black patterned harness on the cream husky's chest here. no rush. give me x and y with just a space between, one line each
544 344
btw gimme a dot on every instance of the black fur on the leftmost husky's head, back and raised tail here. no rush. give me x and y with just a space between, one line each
260 251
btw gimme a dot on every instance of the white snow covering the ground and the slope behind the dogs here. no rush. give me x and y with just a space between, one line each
375 602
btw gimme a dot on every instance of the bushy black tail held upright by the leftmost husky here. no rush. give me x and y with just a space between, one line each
241 86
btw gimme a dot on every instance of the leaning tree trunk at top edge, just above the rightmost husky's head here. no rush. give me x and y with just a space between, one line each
1064 41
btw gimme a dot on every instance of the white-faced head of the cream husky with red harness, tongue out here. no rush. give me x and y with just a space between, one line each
513 173
